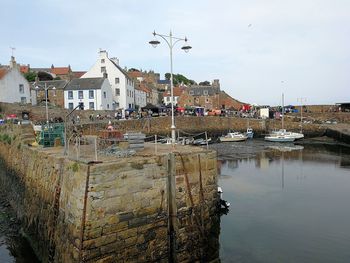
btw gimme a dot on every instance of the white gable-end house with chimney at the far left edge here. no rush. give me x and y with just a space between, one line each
13 86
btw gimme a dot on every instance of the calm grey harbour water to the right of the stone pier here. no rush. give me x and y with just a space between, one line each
288 204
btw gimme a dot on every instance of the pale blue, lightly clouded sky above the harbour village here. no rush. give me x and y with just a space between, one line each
258 49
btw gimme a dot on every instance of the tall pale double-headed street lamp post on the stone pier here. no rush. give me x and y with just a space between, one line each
171 44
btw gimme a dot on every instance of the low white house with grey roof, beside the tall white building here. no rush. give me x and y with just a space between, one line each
94 93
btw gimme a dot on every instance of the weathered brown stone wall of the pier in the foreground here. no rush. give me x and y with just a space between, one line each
113 211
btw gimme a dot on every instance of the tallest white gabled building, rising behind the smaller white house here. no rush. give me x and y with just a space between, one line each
122 86
